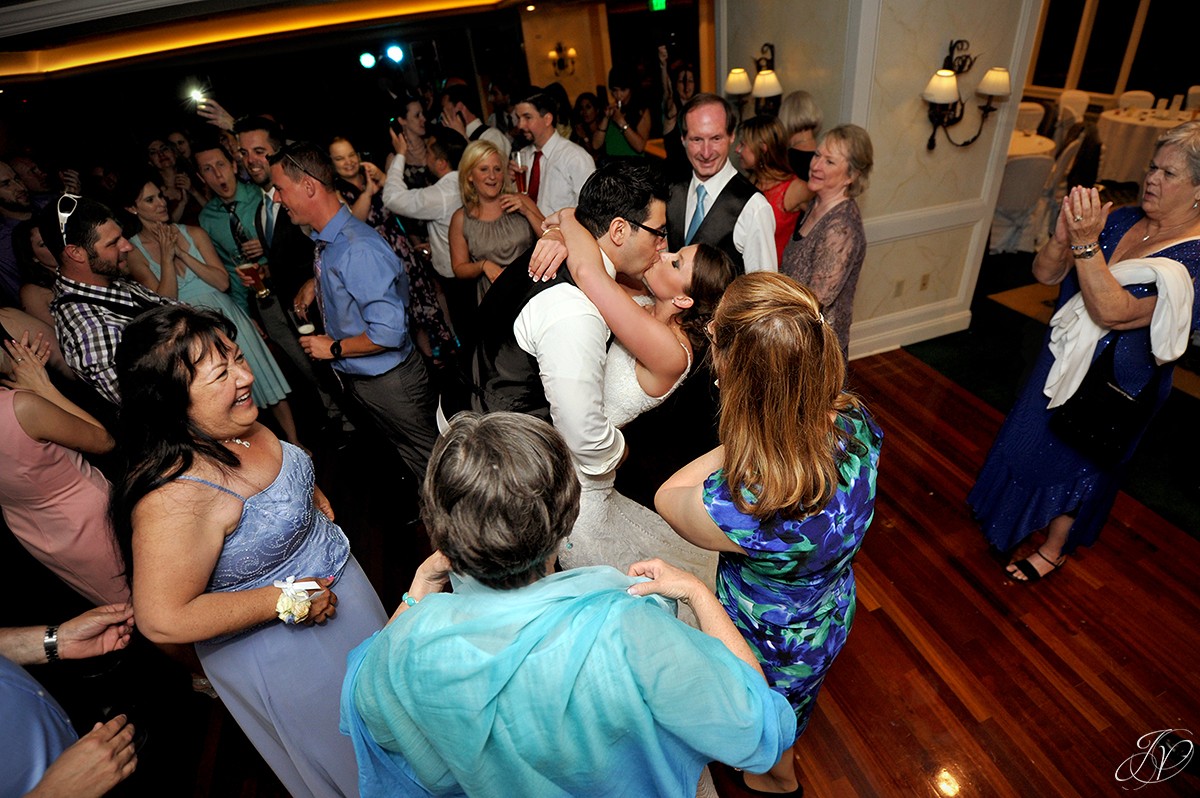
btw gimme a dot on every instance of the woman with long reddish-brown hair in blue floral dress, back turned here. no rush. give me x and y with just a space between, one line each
789 495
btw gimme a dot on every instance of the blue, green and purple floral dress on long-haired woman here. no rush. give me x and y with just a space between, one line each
793 593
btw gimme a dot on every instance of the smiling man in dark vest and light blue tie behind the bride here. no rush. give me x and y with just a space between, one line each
718 206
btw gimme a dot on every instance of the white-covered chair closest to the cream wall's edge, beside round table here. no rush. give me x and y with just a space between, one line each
1019 224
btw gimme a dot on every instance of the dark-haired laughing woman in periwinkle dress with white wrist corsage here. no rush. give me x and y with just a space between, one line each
215 514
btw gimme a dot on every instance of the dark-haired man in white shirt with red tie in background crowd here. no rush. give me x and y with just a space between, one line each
555 170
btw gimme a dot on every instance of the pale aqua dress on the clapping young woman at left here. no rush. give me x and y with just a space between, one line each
269 386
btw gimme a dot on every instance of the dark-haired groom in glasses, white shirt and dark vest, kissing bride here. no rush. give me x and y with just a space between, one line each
543 345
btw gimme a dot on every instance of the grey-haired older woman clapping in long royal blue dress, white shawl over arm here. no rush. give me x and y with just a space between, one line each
1034 479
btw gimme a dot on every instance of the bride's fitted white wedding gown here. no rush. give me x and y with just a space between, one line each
614 530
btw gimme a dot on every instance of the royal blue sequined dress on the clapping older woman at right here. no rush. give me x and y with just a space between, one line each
1031 476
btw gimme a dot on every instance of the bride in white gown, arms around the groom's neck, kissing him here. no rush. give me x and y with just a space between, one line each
659 333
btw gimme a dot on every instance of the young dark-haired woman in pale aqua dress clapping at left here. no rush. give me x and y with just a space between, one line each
196 277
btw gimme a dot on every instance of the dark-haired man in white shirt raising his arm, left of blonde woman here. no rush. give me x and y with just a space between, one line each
434 205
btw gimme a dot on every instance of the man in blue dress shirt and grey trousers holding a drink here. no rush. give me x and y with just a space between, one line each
362 291
